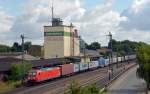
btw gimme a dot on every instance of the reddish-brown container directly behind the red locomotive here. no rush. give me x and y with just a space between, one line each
67 69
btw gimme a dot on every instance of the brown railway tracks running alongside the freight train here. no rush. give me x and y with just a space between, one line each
58 86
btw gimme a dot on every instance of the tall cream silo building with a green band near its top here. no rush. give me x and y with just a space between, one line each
60 41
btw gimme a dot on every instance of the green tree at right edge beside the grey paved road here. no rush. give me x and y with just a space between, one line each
143 56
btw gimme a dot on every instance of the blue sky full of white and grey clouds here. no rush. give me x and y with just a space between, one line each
94 19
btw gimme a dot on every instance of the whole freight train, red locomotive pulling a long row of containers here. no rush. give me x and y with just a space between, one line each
42 74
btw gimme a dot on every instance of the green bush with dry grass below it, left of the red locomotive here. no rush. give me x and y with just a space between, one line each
15 77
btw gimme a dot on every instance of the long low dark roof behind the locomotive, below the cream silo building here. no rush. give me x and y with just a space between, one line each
6 62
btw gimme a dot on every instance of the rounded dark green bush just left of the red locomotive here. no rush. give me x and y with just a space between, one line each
18 71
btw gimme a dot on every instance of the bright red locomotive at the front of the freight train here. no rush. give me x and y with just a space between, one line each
44 74
